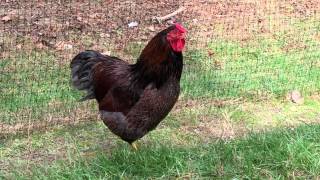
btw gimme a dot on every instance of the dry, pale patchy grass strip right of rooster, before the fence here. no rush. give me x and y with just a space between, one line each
228 119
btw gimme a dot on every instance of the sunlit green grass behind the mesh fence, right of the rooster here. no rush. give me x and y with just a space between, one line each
271 65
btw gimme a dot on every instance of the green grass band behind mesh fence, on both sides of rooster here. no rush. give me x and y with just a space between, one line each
270 65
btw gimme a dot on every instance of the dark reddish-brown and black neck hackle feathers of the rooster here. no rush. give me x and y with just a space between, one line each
157 62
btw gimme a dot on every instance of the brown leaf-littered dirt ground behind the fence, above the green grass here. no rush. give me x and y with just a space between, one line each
103 25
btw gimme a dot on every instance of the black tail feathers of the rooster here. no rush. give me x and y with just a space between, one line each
81 67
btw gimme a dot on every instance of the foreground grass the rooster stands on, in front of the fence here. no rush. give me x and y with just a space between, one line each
181 146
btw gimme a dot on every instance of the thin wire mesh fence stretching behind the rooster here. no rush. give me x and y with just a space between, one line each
237 48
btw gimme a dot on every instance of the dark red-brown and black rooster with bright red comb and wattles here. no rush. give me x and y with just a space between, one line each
133 98
